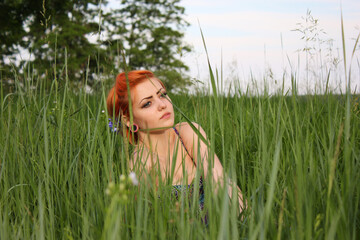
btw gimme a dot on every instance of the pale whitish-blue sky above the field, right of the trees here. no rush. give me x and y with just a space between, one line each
250 38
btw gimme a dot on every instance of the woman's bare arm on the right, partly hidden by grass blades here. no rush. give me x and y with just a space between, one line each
199 151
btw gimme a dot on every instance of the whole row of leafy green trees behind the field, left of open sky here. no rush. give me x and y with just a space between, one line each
93 41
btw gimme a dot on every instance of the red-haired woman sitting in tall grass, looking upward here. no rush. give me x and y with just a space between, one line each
169 151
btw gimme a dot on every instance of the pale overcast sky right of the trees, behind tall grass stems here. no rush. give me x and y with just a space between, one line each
253 36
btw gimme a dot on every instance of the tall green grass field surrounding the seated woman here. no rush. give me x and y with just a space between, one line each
296 159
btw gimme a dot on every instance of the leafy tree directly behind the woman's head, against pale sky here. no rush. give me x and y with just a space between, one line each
149 31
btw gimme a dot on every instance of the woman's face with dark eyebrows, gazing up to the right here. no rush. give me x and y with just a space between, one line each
151 107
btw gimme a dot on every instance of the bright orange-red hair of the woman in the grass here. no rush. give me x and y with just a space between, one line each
117 100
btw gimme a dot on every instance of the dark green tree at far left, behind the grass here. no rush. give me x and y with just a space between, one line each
46 28
